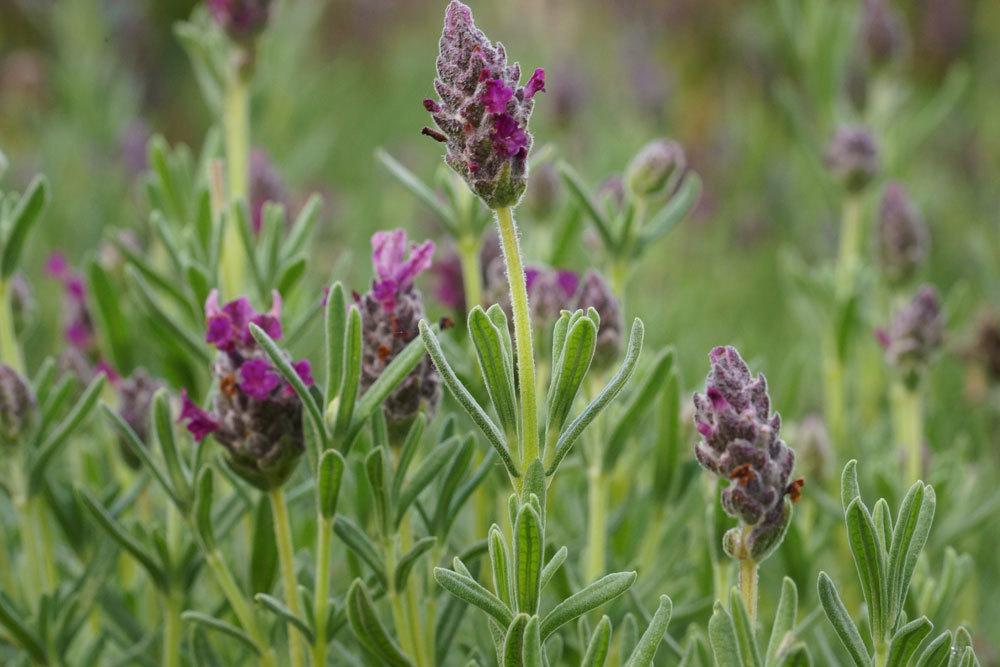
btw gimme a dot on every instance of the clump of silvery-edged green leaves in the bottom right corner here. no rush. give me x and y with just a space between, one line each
886 551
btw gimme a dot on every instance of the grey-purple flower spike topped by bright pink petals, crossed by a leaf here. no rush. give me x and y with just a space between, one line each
391 311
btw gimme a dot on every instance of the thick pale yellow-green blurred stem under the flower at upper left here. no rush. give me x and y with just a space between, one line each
236 128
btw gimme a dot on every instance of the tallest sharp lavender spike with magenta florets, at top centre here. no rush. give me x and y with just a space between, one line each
483 110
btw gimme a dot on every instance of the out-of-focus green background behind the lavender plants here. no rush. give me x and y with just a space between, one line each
752 89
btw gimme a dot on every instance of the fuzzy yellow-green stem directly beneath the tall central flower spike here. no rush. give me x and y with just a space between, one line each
522 335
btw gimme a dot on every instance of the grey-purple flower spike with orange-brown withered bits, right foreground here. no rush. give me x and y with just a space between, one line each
740 442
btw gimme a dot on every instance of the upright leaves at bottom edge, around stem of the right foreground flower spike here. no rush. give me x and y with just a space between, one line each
735 641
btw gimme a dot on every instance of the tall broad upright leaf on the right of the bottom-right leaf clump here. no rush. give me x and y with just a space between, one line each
913 525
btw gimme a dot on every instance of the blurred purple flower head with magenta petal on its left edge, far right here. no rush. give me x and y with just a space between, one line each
915 334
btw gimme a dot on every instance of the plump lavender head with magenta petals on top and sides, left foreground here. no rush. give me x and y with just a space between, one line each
256 415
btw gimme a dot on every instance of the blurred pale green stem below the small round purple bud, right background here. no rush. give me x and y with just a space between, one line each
846 269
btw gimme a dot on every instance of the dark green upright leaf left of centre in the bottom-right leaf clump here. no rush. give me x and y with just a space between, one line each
869 560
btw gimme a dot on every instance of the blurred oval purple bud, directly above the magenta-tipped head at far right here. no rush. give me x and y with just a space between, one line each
902 236
